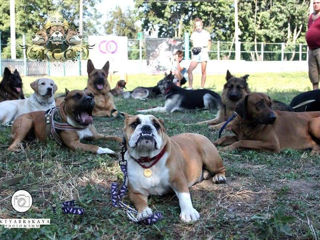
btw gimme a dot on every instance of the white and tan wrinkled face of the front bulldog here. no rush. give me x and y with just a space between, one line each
144 133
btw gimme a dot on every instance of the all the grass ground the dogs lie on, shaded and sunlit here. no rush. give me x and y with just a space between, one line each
267 196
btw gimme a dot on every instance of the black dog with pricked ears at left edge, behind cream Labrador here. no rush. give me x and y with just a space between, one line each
11 86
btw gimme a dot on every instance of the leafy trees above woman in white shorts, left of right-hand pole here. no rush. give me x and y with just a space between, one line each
173 19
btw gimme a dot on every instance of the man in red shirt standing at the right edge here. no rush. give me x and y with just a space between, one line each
313 41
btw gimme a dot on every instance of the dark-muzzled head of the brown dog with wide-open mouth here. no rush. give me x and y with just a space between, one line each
79 106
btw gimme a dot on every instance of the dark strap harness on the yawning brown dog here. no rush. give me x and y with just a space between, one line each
55 122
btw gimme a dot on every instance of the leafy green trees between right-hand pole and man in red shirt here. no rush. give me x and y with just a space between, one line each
273 21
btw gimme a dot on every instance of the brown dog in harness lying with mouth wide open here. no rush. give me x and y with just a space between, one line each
68 124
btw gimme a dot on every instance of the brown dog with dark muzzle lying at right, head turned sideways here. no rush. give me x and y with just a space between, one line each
259 127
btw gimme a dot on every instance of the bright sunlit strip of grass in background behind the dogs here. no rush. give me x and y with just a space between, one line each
262 82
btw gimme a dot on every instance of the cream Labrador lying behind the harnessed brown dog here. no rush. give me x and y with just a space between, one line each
42 99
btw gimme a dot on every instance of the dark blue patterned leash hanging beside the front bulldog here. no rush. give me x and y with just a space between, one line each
118 193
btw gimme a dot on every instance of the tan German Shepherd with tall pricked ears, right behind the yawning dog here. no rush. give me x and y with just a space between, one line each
100 87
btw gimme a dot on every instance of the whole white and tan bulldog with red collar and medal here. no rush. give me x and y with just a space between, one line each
158 163
